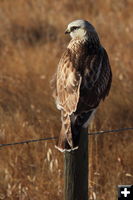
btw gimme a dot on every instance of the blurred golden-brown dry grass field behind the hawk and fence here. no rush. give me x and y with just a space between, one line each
31 42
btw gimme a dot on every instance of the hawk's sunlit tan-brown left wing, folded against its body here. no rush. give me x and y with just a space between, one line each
68 85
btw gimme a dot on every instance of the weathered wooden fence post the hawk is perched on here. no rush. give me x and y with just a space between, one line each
76 170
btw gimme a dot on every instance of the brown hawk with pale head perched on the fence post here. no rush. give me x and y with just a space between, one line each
82 80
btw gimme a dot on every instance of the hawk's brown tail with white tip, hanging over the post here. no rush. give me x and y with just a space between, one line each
71 128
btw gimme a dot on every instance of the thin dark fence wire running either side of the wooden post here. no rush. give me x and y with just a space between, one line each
54 138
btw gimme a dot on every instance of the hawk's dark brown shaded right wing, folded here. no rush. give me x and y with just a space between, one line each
96 81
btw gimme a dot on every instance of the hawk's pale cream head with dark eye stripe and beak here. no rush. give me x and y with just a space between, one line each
80 29
